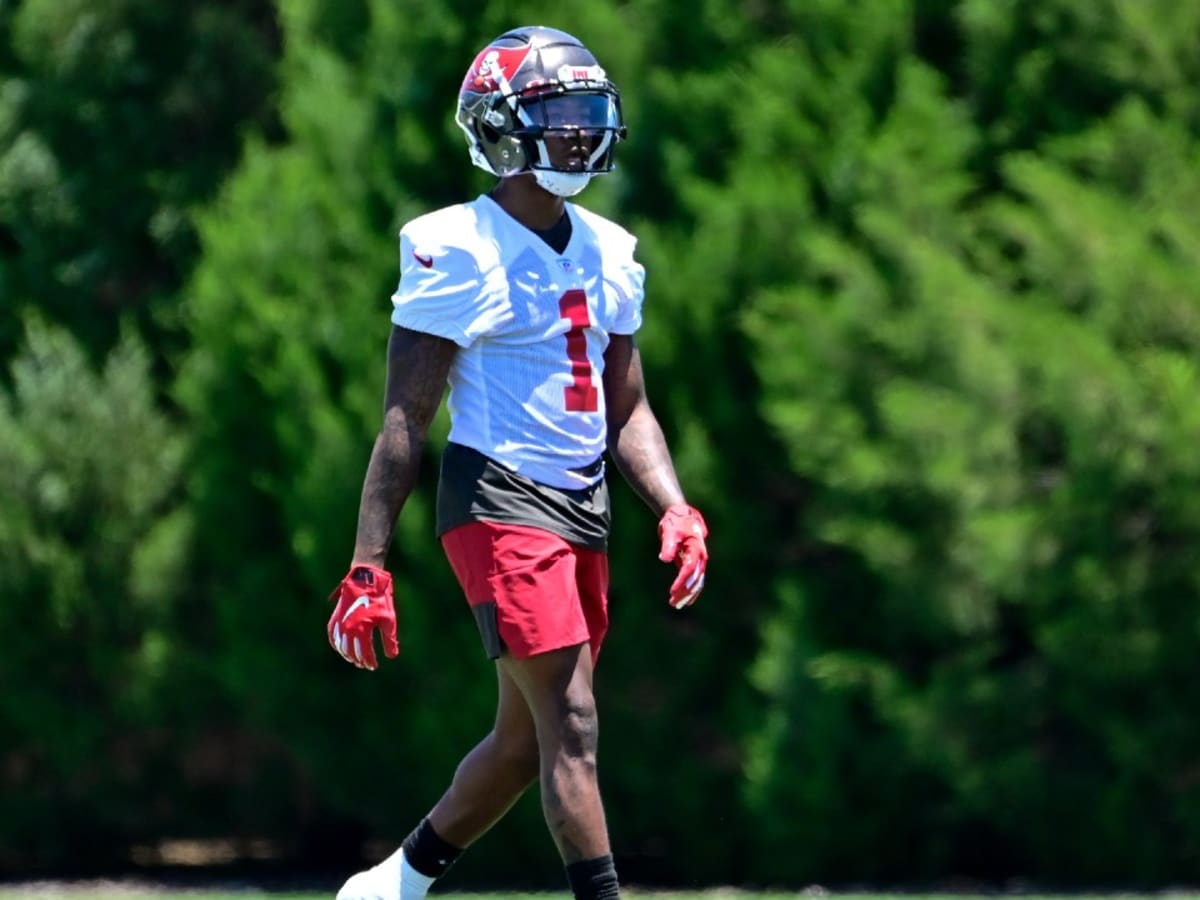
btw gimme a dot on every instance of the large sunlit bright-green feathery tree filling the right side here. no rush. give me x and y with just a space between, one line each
988 645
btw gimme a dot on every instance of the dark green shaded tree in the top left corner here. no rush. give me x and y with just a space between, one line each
117 118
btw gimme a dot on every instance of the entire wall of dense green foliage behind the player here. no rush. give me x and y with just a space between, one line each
923 331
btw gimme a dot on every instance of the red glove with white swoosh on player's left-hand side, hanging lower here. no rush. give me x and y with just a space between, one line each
364 605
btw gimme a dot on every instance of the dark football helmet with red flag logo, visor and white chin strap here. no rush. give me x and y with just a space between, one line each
537 101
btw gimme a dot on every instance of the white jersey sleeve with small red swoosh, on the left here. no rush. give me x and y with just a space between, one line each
445 291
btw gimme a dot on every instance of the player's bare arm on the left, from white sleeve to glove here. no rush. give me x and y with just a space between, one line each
418 367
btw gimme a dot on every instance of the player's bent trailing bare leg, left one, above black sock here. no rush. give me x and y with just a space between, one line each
494 776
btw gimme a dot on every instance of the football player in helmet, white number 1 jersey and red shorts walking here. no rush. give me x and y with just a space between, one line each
527 307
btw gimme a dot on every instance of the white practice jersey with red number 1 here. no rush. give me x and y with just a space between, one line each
533 326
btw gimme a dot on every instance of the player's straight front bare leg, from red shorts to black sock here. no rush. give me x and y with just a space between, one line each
557 688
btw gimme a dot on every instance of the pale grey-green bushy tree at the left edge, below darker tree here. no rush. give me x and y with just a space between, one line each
93 553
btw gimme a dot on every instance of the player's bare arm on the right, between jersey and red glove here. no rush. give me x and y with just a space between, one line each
635 439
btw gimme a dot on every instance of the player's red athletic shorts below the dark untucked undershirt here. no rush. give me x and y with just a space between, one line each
532 592
